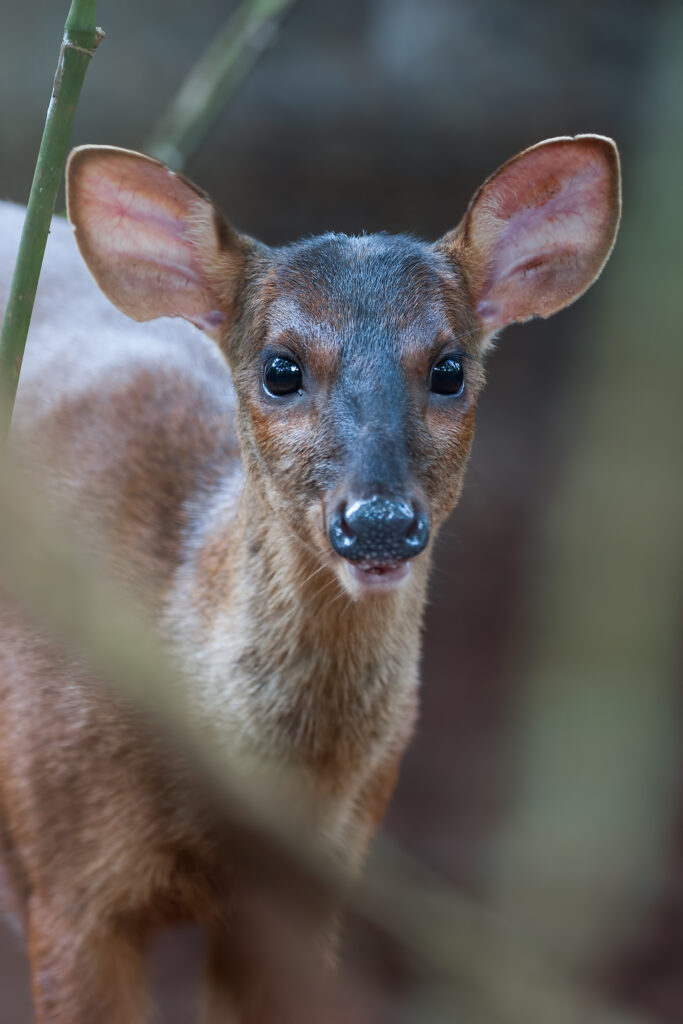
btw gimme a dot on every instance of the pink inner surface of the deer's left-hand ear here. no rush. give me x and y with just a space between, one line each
135 220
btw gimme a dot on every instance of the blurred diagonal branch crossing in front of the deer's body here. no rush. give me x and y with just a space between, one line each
488 969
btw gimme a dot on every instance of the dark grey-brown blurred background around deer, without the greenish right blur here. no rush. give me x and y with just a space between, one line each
375 115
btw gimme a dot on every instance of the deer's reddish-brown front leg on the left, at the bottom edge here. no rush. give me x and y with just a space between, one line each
79 977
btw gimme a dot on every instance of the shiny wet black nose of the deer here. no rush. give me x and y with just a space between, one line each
379 530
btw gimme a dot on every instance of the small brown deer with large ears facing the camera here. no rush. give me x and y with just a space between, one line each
272 495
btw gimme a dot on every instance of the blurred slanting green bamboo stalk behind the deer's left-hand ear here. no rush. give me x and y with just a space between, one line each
219 74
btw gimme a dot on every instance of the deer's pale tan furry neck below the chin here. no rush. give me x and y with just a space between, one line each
277 647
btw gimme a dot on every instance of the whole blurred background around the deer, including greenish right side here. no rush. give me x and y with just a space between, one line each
545 778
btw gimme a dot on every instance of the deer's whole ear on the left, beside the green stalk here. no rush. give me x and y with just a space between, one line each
155 243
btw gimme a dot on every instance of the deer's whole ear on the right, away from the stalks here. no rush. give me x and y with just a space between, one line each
540 230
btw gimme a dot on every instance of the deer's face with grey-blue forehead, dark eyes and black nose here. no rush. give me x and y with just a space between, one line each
358 378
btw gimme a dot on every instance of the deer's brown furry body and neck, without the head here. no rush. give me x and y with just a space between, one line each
82 433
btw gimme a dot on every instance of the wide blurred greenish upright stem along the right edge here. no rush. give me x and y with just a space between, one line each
584 850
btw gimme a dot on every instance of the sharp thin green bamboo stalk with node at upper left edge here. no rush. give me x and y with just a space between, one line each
79 44
